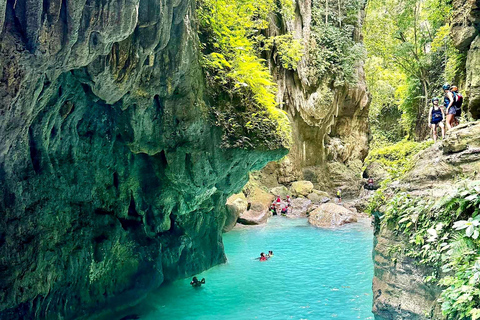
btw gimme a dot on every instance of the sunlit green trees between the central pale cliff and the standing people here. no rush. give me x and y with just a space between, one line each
407 64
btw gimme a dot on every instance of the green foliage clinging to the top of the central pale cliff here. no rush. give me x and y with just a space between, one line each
333 50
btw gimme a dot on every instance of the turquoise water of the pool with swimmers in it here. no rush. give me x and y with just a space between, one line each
314 274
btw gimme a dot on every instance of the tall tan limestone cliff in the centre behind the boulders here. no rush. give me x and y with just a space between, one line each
330 122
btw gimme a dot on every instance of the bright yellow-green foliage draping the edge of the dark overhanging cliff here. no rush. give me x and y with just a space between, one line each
239 83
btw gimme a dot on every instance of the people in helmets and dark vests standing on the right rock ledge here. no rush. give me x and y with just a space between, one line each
450 111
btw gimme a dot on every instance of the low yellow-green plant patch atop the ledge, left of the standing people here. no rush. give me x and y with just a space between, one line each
397 158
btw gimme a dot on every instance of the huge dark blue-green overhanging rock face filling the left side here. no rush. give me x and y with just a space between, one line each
111 178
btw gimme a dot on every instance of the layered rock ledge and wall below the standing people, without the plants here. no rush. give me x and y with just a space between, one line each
398 287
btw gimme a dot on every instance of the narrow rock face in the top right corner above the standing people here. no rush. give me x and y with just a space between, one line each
466 37
